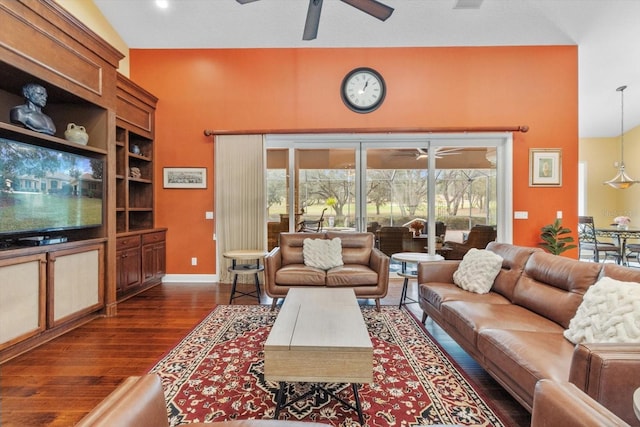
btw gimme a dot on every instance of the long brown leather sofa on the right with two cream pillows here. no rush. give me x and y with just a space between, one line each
515 331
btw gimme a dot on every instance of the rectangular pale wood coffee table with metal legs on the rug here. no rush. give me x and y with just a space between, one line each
319 336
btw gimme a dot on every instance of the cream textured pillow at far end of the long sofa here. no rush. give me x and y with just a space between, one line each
477 270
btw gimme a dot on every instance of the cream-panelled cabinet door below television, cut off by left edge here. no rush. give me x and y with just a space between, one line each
22 298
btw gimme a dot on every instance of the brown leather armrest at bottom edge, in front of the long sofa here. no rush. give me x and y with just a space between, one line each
563 404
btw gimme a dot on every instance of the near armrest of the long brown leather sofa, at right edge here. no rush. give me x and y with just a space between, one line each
608 374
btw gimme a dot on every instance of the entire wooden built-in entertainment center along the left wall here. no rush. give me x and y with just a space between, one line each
50 289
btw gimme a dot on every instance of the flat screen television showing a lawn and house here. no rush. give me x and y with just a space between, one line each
46 190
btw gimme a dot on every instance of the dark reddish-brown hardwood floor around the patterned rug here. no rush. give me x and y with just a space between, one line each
57 383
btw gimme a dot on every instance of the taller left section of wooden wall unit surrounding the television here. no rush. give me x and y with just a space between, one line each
42 43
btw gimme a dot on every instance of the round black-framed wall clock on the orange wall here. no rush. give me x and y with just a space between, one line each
363 90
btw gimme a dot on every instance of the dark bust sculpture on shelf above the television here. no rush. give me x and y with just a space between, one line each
30 114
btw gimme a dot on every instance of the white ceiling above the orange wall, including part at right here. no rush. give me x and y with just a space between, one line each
606 31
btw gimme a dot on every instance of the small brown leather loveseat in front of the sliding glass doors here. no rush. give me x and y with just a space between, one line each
365 269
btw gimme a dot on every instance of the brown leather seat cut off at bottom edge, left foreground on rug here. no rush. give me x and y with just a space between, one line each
139 402
